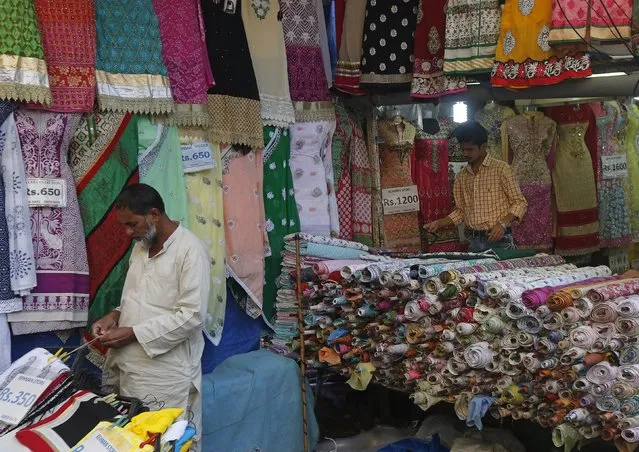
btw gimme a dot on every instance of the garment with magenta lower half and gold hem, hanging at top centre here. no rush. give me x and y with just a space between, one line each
306 74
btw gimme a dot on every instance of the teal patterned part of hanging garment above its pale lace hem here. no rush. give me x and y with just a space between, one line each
128 37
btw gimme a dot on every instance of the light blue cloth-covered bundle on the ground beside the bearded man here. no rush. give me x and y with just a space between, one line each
253 402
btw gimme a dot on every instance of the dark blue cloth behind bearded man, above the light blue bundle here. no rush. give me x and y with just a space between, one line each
241 335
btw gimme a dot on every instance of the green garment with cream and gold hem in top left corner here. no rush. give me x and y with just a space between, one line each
23 71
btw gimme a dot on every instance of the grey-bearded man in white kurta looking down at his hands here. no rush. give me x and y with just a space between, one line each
156 340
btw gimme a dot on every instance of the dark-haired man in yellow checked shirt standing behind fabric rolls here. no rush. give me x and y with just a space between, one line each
487 197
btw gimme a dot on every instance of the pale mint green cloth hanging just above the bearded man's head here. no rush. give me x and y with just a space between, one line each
160 162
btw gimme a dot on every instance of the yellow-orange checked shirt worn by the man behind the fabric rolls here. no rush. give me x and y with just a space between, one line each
482 209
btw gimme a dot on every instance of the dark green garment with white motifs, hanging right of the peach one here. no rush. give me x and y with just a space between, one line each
280 208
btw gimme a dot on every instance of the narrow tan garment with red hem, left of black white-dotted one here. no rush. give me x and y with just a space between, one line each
350 29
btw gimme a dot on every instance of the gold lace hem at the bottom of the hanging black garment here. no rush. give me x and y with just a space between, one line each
235 120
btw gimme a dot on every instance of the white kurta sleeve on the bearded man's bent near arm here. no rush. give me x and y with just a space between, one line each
160 334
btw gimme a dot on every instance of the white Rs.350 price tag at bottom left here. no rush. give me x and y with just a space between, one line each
19 396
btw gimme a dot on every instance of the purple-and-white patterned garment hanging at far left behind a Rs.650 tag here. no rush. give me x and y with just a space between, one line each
62 293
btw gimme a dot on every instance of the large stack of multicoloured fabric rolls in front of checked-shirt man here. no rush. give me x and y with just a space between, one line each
530 338
